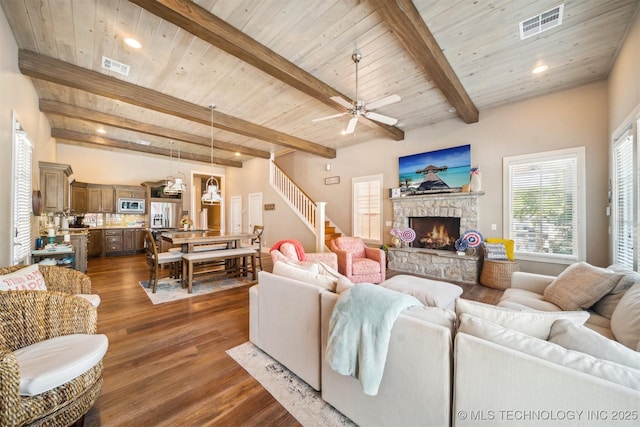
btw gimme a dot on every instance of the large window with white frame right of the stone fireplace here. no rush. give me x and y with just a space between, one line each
545 205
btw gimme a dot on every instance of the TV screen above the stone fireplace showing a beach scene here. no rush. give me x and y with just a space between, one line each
443 170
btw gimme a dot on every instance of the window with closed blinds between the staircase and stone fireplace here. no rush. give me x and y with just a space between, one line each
367 208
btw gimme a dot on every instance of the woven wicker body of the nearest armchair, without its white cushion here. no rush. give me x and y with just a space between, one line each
29 317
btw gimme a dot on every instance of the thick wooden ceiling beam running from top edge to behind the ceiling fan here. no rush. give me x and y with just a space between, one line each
208 27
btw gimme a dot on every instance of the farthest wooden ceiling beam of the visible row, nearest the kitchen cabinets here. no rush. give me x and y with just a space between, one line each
103 142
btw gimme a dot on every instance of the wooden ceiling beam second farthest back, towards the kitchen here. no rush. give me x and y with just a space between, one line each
71 111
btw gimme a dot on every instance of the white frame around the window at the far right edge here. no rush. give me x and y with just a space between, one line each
631 130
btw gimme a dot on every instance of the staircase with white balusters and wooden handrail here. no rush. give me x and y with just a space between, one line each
310 212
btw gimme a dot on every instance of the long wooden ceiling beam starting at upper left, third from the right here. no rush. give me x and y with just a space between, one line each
46 68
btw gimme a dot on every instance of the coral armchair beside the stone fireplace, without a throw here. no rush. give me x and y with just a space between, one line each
359 262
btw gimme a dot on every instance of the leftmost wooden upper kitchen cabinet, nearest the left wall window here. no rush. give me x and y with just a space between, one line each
54 186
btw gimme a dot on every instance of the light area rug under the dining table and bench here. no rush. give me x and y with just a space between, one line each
171 289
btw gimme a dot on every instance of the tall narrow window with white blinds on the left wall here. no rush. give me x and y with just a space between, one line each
21 195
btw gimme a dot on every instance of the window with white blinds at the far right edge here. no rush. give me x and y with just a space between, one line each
624 181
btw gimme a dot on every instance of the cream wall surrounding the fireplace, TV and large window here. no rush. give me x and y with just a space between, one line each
570 118
